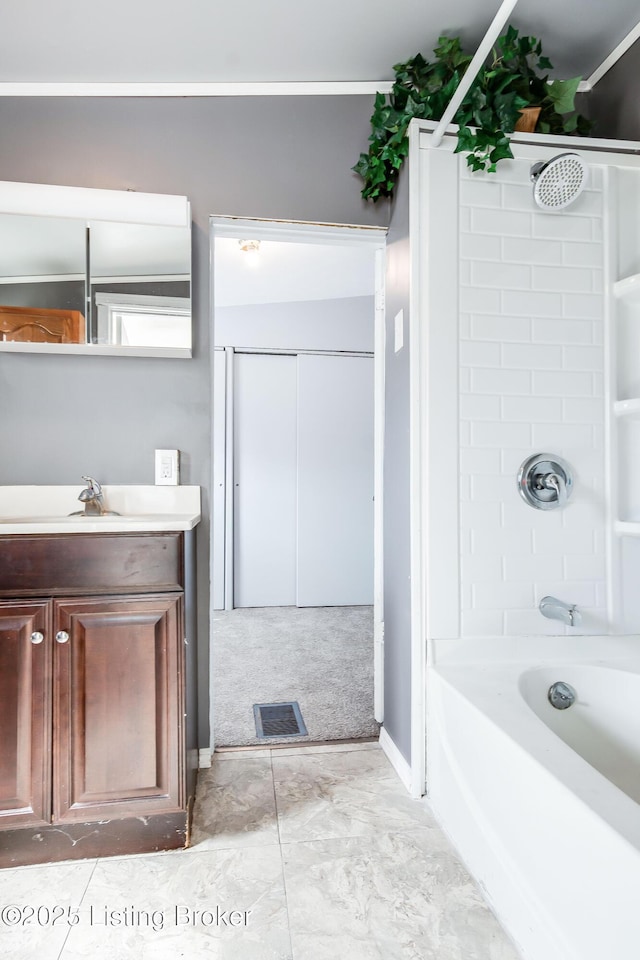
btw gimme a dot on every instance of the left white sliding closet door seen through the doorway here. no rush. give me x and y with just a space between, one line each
264 480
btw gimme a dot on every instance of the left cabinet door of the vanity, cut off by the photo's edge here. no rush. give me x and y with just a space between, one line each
25 713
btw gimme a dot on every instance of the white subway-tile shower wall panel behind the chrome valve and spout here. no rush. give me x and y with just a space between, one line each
531 361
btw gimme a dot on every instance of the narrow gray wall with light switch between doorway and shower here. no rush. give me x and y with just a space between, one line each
397 582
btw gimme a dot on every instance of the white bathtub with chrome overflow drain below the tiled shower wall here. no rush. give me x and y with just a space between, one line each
543 804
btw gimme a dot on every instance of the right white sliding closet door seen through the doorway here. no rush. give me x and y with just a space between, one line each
335 481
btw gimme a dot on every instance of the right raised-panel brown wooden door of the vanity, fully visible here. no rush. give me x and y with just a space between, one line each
118 707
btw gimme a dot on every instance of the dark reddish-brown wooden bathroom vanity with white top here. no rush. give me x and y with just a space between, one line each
97 674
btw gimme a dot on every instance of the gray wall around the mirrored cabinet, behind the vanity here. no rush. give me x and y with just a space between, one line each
272 157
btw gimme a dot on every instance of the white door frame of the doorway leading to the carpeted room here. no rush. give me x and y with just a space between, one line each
327 233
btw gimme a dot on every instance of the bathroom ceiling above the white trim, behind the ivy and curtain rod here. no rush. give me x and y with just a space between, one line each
279 40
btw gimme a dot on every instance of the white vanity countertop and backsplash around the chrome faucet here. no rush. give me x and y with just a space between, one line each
45 509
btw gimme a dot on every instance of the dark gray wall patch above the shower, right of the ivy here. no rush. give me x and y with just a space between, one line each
614 104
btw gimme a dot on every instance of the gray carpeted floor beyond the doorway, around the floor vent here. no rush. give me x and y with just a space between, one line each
320 656
